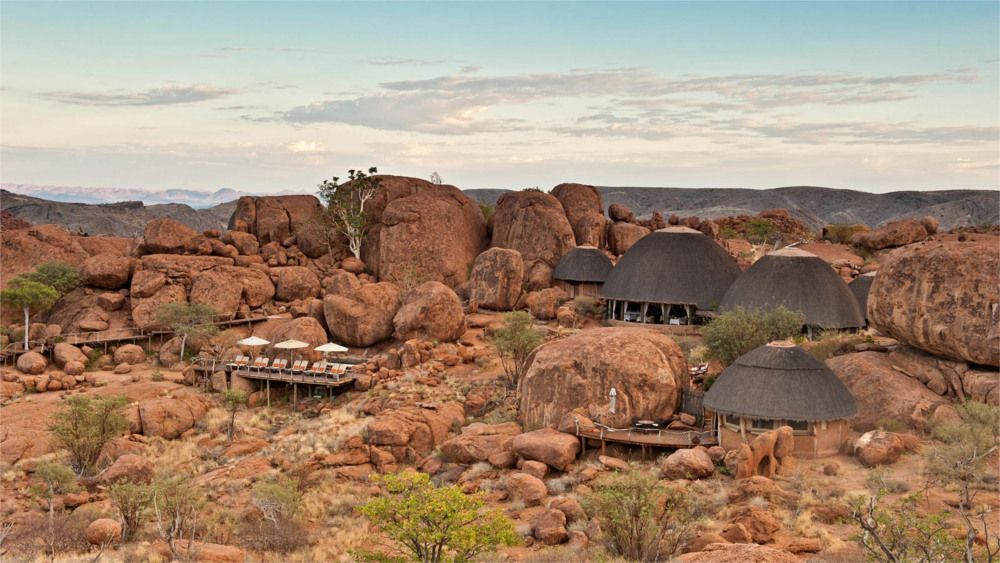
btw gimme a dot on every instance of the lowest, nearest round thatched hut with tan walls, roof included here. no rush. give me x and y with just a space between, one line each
780 384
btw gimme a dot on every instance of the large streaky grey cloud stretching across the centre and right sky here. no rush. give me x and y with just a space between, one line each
632 102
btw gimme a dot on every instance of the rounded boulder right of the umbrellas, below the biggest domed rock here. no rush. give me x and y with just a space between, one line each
430 311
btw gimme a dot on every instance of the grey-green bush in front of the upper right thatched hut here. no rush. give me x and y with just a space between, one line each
737 331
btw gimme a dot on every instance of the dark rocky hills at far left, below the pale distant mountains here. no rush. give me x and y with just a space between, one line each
126 218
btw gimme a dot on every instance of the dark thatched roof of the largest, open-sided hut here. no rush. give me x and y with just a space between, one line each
673 265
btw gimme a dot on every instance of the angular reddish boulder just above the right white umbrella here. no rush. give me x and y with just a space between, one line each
365 315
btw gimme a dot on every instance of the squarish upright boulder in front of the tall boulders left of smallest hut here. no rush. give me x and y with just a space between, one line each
496 279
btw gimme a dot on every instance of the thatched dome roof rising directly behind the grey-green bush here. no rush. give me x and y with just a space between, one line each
801 282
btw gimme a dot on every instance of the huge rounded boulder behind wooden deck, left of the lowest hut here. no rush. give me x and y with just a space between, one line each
646 368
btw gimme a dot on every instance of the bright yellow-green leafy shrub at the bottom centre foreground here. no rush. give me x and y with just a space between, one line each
433 524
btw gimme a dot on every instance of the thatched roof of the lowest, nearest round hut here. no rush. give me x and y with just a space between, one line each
780 381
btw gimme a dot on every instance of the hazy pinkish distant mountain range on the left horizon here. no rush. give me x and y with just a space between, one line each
81 194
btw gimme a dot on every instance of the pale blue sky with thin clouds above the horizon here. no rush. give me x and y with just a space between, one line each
264 97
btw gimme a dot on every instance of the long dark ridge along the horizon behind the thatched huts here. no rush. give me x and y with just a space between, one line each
814 206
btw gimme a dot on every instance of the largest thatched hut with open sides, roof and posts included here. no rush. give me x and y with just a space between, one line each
670 276
